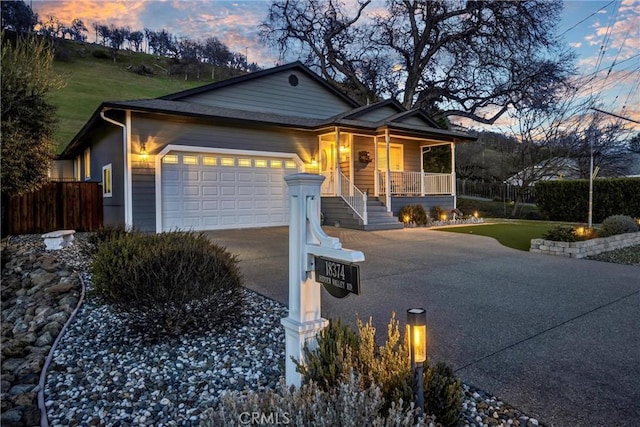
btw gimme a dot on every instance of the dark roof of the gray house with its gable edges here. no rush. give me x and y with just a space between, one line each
174 105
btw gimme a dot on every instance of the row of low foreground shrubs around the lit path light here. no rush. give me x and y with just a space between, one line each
349 380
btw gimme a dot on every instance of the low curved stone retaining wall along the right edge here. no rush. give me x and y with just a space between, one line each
585 248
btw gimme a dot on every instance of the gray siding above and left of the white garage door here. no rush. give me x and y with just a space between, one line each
158 132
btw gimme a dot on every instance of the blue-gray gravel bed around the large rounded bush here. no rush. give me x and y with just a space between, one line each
104 374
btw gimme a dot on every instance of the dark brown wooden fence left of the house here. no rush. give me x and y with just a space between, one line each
57 205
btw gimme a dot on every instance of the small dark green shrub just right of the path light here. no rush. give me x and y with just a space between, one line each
443 394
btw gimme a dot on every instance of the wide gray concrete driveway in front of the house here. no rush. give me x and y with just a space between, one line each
557 338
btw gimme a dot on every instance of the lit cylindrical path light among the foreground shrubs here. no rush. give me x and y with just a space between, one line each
417 333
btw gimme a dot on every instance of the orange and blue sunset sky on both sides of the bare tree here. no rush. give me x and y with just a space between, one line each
586 26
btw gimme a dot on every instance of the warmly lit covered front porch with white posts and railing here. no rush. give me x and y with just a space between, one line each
390 166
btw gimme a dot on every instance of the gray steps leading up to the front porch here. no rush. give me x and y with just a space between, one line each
336 210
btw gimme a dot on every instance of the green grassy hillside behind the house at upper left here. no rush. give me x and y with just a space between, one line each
92 77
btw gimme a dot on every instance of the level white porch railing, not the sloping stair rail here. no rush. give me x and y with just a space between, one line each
416 183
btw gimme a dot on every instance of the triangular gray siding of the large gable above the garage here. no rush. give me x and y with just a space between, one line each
274 94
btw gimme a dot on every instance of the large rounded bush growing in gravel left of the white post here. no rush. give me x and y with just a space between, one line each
168 283
